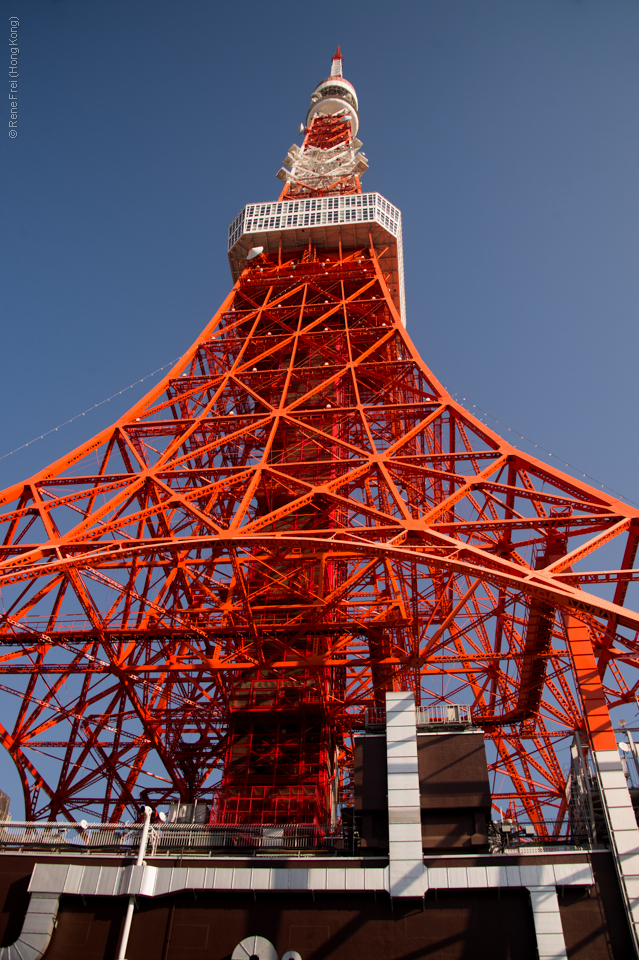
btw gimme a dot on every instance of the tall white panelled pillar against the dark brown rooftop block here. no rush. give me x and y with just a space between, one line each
406 859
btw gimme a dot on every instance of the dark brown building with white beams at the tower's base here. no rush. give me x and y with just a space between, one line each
432 881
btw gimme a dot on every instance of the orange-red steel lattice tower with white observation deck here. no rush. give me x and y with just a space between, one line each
203 599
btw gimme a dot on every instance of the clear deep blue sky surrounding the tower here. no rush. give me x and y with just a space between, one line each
506 131
